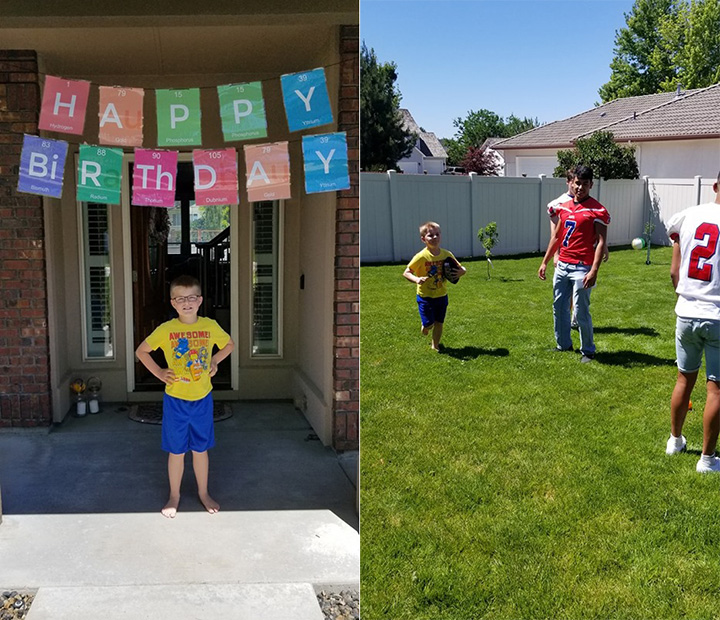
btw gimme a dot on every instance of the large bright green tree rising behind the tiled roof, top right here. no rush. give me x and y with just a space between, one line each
665 43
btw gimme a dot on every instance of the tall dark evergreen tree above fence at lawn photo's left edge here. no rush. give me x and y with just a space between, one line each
383 141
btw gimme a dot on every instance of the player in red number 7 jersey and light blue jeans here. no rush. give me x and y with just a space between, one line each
581 236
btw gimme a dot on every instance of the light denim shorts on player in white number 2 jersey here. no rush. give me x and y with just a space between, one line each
692 338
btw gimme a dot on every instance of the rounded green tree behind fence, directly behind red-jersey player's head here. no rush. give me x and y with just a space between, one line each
607 159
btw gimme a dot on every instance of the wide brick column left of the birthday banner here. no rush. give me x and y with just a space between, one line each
24 354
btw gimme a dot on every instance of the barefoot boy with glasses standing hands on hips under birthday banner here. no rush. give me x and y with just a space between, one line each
187 343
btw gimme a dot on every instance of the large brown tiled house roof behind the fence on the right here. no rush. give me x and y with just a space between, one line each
663 116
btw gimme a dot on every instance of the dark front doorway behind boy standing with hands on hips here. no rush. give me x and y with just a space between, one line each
167 243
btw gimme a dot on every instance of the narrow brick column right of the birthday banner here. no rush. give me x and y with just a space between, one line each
346 372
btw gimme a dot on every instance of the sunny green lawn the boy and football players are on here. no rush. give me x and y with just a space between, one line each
502 480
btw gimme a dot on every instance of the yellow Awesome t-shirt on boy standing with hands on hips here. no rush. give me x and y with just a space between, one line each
188 349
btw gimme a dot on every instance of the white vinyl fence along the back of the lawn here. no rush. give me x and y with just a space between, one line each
392 207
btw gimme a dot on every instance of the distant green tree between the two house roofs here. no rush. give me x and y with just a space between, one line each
480 125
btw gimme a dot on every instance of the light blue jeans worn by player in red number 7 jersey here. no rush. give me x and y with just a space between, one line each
567 286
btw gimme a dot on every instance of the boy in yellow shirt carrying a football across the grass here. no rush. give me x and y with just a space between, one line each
426 270
